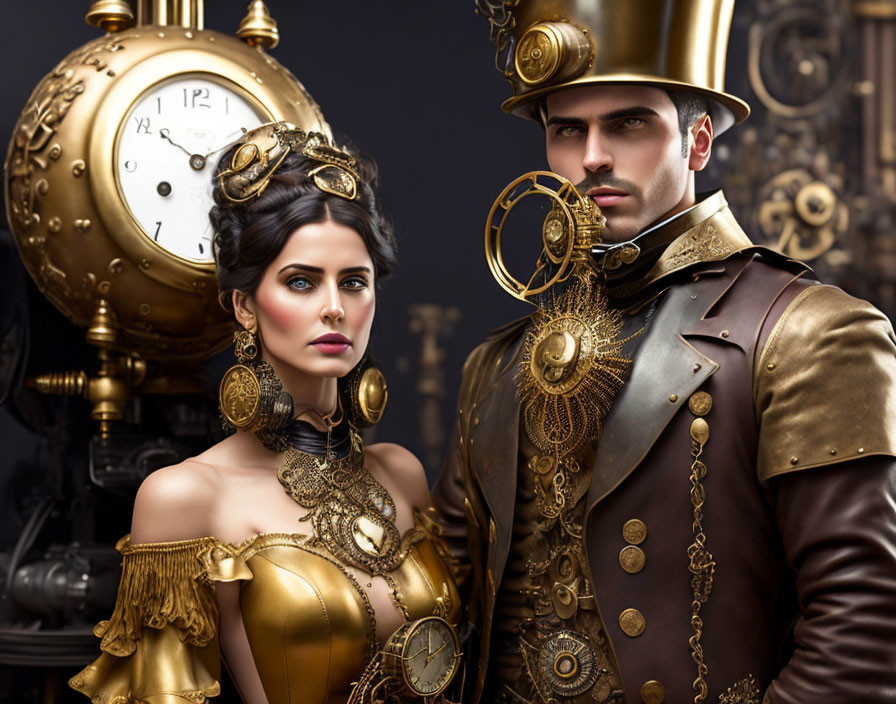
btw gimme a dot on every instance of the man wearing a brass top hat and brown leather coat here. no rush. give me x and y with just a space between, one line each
728 532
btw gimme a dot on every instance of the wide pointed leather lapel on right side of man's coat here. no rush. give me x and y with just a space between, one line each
665 367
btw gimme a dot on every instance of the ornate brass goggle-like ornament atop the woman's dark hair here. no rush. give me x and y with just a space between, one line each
264 149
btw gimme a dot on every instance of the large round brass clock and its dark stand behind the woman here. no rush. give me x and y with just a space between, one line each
107 186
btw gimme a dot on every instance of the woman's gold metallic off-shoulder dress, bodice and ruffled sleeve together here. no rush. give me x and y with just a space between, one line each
307 619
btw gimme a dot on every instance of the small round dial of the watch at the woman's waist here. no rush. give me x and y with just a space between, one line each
430 656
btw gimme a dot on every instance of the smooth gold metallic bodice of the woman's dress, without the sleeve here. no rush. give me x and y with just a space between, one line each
308 621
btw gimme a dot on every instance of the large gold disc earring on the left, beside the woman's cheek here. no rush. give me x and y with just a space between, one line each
250 395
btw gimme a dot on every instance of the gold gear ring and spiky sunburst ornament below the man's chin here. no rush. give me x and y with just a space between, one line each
572 363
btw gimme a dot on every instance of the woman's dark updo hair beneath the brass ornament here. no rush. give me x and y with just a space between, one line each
249 236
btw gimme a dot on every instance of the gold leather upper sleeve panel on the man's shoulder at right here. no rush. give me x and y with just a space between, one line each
828 350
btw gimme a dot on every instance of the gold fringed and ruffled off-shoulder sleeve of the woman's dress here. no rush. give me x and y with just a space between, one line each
160 646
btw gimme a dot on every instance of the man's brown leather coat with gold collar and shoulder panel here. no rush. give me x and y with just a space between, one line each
800 507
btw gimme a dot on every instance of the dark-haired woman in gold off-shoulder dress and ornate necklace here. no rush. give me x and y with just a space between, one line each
288 548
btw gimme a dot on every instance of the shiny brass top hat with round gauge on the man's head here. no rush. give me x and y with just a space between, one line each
548 45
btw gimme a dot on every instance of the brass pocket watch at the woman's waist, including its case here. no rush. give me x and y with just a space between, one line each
424 654
